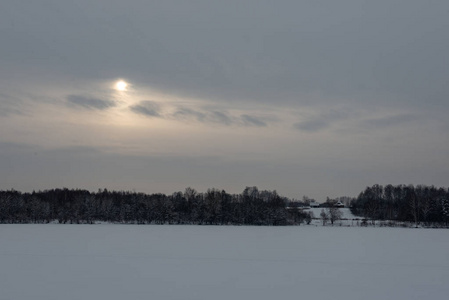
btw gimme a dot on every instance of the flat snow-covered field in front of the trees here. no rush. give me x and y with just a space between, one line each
221 262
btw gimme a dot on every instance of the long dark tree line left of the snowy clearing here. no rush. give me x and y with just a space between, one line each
214 207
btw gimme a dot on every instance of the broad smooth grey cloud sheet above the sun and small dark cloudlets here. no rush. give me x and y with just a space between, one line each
244 55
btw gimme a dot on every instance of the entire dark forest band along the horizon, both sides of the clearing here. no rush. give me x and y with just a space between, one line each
423 205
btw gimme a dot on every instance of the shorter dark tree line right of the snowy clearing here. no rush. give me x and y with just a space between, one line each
419 204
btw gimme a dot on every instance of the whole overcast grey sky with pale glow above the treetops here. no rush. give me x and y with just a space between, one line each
319 98
